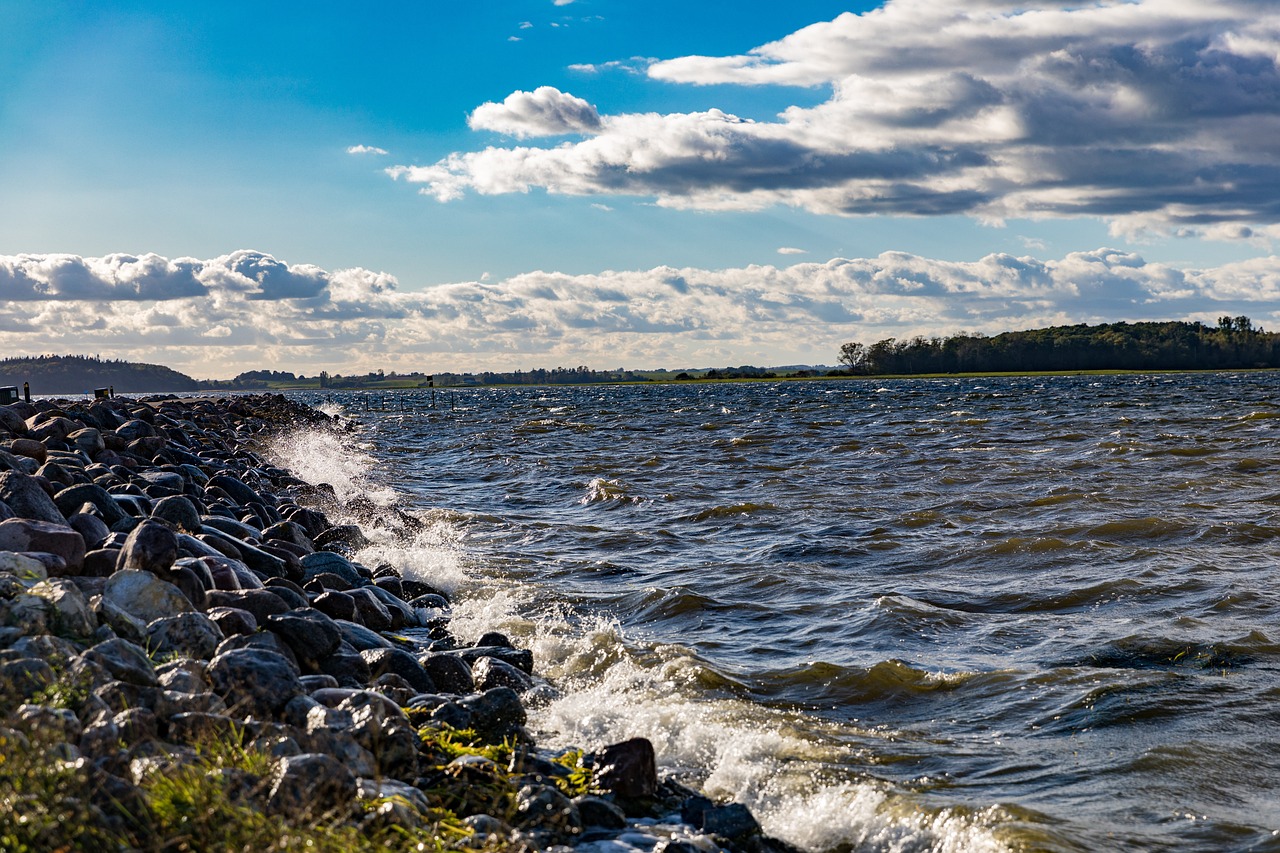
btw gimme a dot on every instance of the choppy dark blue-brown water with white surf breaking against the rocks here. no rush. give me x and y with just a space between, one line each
909 615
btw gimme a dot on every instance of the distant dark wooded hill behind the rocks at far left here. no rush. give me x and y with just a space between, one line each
80 375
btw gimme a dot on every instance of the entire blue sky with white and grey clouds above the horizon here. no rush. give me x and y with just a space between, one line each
534 184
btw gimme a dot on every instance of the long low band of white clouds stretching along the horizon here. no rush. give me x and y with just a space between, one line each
248 311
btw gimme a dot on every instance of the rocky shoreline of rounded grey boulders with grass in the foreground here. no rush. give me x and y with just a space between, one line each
193 658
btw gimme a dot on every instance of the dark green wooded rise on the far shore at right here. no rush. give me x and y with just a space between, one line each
1233 344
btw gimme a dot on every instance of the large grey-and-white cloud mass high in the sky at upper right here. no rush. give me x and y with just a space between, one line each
1160 115
